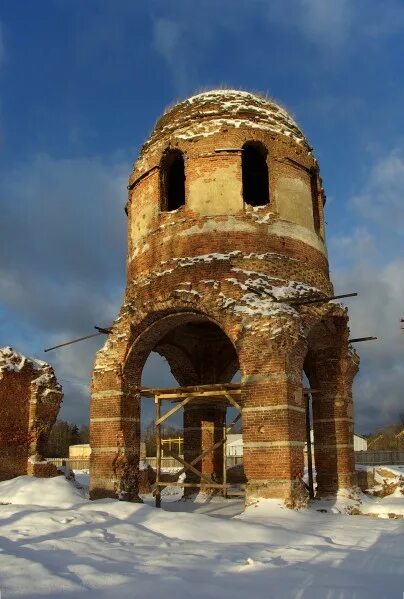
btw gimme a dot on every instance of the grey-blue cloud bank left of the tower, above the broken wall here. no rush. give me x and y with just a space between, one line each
62 261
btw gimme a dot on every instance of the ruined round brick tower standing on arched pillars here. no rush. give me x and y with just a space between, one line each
226 232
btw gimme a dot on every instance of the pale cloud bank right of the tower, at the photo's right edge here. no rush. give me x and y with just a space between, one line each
371 262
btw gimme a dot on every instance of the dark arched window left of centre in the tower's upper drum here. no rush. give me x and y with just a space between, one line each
172 181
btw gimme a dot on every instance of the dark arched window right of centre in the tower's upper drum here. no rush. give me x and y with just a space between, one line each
255 174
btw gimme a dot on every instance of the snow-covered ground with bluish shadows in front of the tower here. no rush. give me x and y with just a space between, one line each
55 543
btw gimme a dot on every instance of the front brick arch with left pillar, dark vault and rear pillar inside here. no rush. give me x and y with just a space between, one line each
115 406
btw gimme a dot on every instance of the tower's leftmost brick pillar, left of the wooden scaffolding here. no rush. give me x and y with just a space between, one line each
114 436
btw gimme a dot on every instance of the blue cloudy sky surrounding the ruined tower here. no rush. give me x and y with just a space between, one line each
81 85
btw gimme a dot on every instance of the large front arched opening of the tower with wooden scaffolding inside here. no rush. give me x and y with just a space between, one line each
183 350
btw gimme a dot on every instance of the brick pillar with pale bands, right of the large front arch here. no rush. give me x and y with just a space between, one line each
273 422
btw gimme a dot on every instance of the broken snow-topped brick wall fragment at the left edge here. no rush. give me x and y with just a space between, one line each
30 398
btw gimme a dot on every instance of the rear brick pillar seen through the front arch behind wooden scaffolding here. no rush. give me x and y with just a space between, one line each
203 427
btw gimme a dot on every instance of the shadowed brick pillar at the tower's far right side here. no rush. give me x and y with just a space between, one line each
333 428
